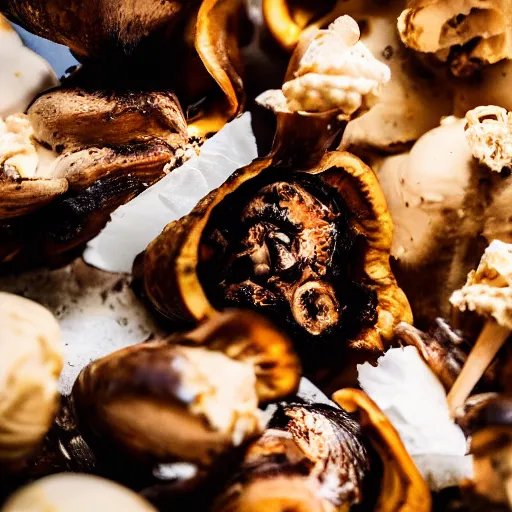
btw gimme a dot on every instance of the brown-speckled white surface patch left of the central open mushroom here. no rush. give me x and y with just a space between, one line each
97 312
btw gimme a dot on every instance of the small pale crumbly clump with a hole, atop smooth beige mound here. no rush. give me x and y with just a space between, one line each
489 135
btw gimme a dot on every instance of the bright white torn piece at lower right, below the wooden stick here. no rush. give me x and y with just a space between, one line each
414 401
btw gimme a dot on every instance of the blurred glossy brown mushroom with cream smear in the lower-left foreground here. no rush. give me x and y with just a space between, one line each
191 397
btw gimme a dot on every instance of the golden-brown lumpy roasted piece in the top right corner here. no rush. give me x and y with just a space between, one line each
465 34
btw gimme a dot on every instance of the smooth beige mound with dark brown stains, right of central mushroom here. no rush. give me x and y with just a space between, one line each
446 207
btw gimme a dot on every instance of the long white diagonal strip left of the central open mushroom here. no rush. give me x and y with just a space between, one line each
136 224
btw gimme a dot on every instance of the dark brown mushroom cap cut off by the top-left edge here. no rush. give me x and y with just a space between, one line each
100 29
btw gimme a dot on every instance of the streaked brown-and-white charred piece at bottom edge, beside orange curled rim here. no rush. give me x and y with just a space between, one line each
311 458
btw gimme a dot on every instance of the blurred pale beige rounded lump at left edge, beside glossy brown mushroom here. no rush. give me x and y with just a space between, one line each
30 364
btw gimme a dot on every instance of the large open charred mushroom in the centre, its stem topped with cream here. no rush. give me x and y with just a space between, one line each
302 237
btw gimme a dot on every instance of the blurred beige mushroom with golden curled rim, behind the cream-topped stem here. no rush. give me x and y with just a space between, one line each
410 104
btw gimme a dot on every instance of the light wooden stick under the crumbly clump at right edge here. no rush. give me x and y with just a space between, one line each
491 339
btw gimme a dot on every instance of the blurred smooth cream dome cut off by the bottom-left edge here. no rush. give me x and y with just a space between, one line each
68 492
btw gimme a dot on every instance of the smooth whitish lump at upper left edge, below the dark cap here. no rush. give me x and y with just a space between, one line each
23 73
